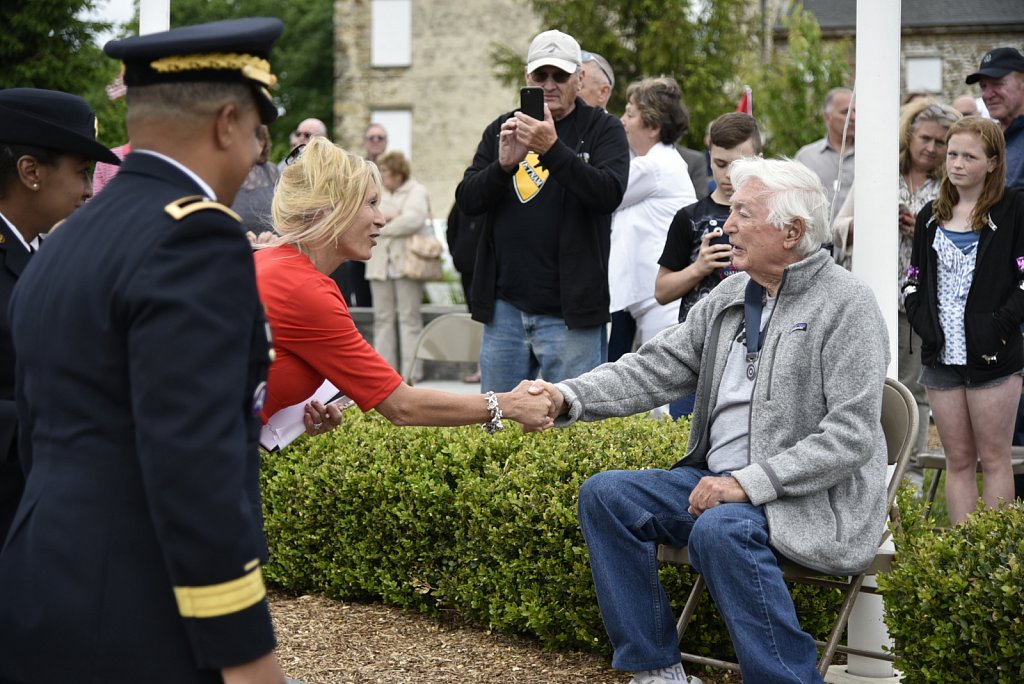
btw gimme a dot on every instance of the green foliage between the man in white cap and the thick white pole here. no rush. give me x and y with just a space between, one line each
713 50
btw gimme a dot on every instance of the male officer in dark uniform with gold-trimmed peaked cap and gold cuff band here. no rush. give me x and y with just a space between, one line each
136 554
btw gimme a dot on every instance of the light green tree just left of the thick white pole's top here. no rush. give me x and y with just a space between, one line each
792 85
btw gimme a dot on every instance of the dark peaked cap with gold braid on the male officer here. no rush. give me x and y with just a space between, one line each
235 52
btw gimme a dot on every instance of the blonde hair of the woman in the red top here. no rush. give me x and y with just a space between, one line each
321 194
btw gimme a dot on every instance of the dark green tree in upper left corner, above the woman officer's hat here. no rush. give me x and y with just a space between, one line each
50 46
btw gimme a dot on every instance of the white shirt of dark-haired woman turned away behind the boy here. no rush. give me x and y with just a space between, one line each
660 186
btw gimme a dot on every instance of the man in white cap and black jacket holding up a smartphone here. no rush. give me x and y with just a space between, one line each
548 188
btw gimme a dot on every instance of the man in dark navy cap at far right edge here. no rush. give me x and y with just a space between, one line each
1001 78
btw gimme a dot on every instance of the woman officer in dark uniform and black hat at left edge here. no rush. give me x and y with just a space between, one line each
48 147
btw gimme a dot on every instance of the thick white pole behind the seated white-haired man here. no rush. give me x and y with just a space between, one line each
876 244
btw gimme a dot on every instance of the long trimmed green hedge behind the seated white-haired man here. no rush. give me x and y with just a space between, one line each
454 520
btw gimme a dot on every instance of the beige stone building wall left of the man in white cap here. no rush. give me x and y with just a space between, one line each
450 87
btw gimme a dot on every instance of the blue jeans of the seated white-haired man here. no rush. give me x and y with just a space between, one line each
626 515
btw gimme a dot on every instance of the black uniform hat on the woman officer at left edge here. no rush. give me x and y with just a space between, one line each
53 120
